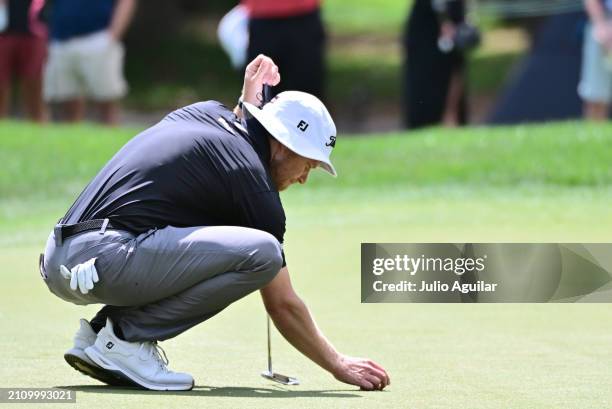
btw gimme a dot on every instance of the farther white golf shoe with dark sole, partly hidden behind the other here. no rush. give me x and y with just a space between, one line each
76 357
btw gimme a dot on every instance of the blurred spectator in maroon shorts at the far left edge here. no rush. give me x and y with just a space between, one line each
23 48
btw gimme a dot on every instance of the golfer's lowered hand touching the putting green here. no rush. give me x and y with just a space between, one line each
366 374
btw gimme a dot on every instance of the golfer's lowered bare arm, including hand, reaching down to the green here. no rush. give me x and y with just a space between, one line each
293 320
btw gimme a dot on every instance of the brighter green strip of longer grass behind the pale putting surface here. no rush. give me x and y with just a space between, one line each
50 160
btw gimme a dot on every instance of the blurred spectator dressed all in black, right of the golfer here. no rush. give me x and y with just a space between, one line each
434 69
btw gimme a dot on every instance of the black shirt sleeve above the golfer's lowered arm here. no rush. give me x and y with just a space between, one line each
264 211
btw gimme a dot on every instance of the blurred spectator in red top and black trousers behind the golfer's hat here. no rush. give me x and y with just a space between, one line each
292 34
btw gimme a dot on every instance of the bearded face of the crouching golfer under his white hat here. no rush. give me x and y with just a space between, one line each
287 168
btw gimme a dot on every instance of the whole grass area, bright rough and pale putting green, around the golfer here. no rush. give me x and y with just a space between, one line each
546 183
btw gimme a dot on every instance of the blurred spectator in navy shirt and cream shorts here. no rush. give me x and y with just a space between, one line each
86 56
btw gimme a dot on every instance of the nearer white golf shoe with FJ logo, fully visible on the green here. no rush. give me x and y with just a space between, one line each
144 363
